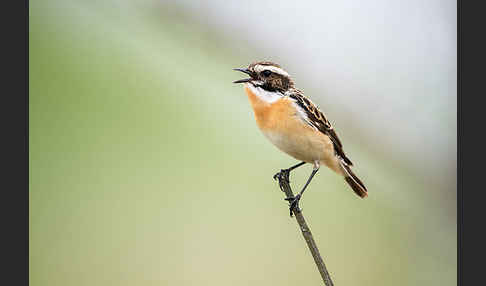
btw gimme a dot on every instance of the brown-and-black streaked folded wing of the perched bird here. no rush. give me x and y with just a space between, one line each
318 120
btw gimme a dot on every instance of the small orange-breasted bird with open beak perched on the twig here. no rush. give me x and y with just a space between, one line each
295 125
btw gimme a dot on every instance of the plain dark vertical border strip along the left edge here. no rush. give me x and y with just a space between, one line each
14 139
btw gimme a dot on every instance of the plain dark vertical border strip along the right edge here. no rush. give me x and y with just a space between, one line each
471 172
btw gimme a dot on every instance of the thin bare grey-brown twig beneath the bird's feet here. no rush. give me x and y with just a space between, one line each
283 180
